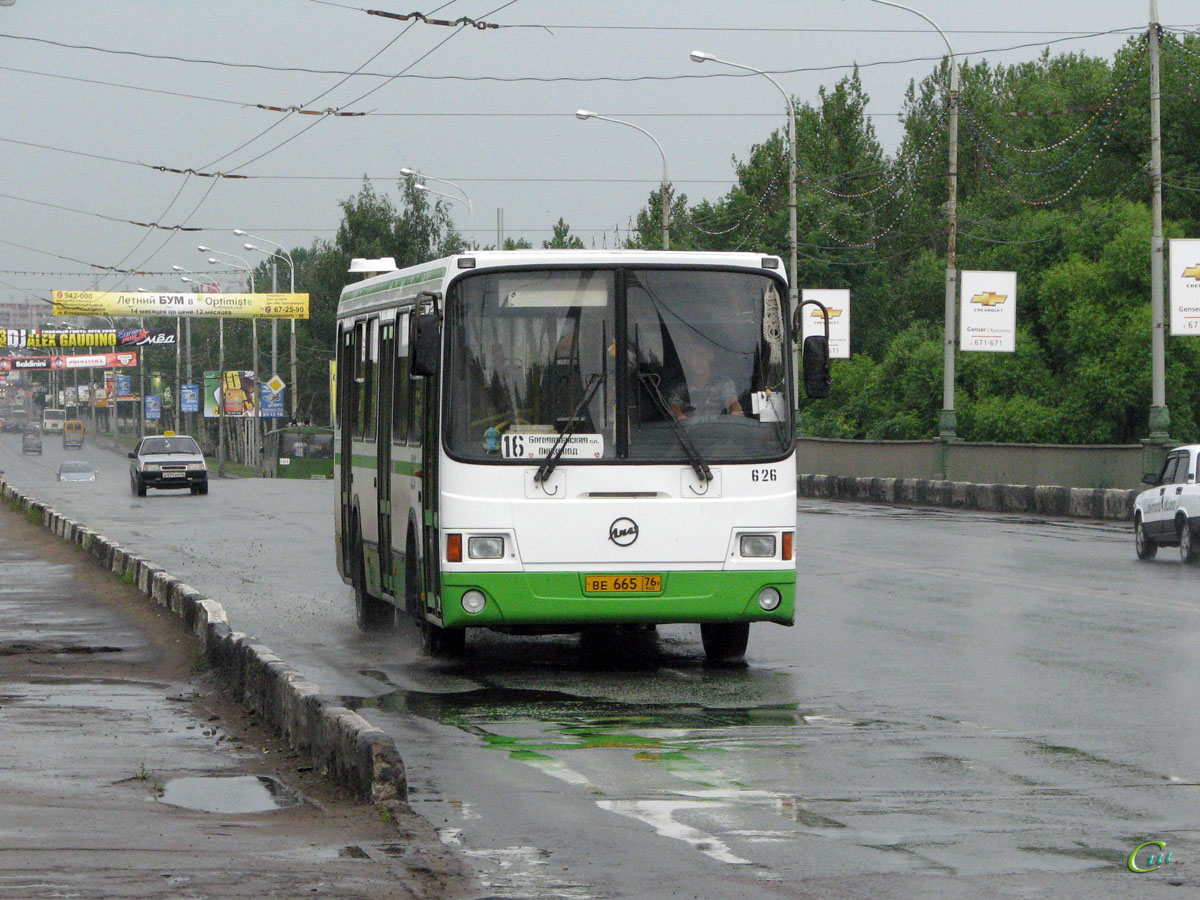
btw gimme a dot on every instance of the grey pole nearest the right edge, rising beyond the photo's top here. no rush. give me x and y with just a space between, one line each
1160 417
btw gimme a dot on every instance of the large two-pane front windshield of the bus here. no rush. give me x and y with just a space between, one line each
533 361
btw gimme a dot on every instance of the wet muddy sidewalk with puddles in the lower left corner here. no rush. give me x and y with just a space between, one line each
125 773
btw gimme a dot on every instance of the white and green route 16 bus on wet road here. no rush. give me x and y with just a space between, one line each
548 441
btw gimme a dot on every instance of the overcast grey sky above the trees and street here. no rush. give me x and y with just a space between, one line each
98 94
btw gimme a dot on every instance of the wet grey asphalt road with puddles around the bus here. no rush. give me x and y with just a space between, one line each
970 706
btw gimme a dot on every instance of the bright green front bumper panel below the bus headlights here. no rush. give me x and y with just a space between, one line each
559 599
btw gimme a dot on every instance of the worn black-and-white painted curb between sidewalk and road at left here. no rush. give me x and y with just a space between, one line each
337 741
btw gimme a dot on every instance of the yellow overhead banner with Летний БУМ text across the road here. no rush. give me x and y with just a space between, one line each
235 307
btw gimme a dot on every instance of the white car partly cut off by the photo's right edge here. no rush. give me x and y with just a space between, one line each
1169 513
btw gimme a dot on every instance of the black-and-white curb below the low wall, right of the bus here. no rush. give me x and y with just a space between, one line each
1042 500
